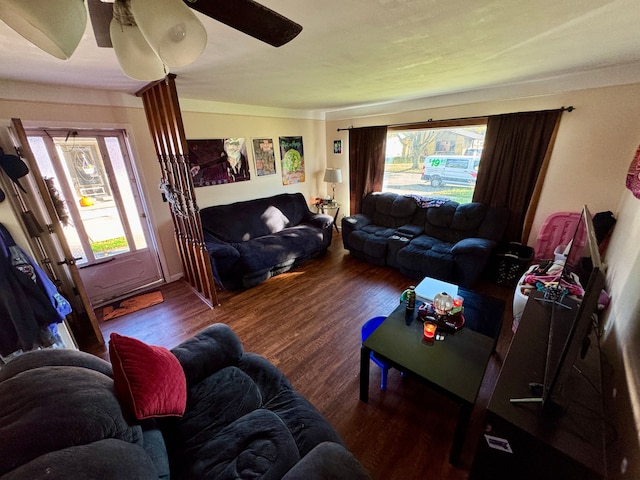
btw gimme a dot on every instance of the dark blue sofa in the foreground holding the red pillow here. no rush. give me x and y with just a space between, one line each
61 418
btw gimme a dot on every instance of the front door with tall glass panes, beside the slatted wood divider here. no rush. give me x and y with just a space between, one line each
92 181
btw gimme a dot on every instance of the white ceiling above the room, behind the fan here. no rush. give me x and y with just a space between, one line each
363 52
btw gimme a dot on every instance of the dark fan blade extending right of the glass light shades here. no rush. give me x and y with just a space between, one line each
251 18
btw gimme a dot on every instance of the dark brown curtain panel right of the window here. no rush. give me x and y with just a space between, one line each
513 164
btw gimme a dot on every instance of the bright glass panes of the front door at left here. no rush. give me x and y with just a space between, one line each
99 211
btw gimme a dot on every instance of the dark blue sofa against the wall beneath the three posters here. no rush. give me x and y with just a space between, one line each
251 241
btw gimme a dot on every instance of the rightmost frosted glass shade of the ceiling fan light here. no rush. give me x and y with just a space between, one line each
171 29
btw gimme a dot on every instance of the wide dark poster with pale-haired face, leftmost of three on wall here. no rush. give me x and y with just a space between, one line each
218 161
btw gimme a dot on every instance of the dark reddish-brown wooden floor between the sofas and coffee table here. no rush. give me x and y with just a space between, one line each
307 322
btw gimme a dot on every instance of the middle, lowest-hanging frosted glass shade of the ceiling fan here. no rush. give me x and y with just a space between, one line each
137 59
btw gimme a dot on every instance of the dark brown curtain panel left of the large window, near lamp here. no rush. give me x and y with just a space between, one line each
366 163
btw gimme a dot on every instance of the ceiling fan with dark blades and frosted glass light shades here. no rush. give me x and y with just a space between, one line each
148 36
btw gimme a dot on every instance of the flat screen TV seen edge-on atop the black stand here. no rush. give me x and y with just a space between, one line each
566 339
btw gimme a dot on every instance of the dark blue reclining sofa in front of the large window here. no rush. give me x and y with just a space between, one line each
425 237
